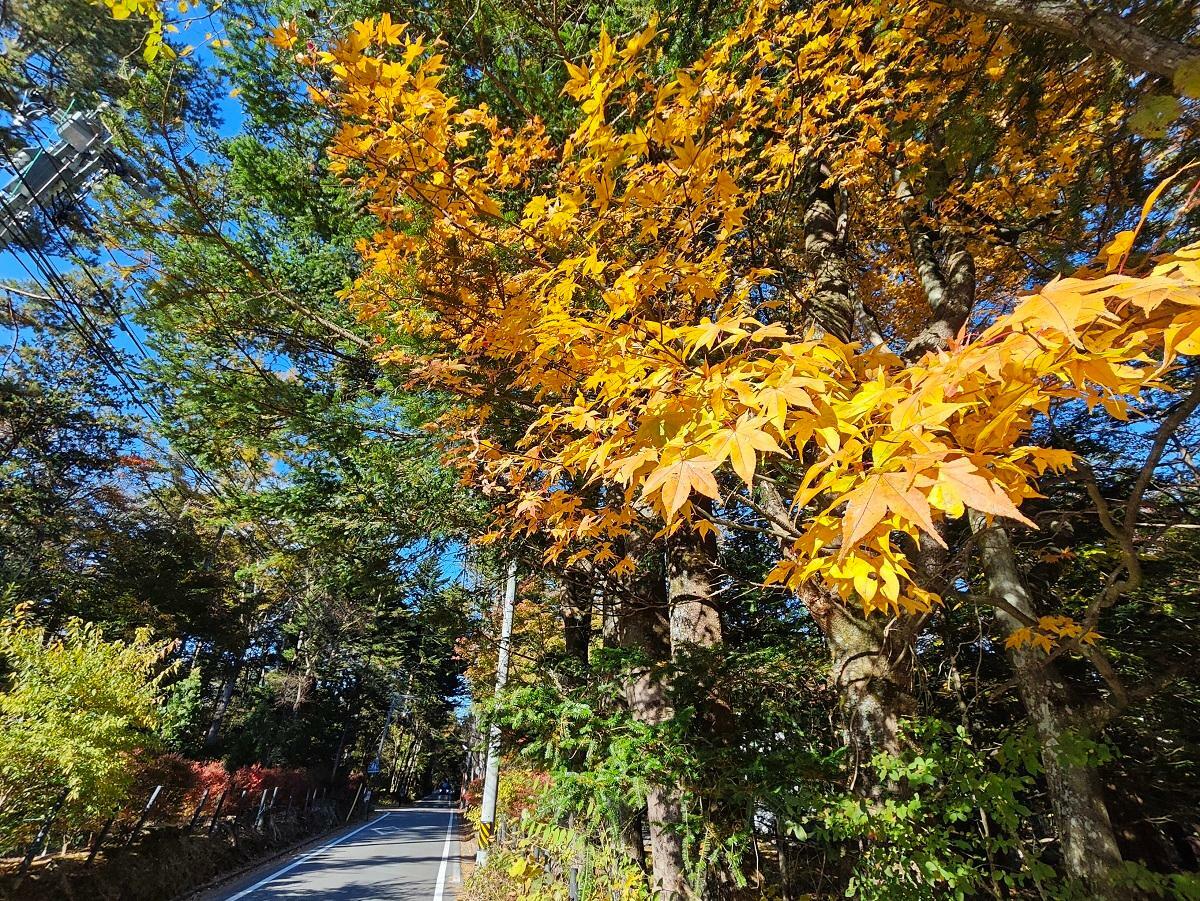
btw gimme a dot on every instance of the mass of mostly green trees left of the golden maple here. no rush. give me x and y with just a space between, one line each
251 502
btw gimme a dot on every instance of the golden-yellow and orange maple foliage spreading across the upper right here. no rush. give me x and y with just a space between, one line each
610 285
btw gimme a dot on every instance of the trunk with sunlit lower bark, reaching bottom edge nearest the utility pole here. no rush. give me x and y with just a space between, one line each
646 629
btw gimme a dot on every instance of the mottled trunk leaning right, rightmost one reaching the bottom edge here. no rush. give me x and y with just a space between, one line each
1090 850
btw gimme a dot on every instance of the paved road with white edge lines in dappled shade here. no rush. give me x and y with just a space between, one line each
409 855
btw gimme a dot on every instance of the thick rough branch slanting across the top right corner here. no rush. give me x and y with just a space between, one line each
1097 31
